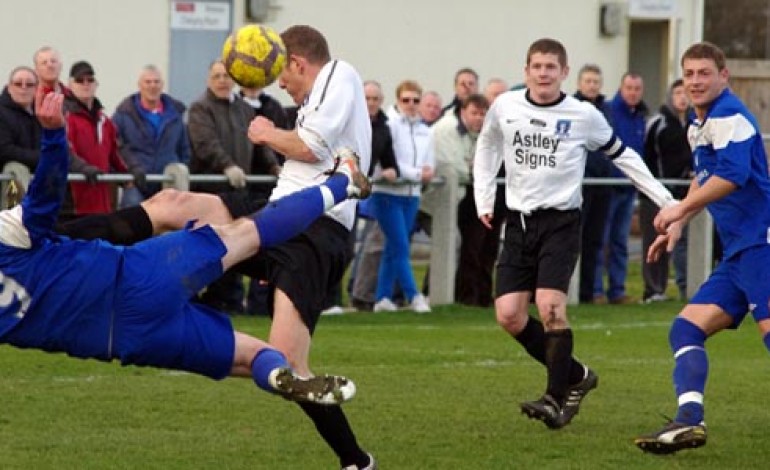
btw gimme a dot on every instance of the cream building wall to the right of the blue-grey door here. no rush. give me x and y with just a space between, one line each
428 40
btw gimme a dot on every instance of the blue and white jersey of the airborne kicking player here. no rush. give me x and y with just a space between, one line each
42 272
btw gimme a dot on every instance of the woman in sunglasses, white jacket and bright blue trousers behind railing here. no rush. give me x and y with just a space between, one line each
395 205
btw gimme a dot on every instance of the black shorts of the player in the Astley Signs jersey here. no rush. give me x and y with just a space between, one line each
540 251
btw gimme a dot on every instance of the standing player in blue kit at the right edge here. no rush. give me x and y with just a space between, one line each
732 183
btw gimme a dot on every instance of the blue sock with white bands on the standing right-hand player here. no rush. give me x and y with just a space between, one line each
690 369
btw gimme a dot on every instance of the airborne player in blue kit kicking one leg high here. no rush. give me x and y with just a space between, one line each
92 299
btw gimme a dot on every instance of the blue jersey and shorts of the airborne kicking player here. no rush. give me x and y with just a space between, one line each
91 299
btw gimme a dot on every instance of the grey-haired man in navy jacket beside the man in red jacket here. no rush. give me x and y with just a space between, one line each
151 132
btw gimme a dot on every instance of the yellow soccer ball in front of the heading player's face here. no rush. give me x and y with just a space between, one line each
254 56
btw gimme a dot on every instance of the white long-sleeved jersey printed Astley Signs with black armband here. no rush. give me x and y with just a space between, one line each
544 149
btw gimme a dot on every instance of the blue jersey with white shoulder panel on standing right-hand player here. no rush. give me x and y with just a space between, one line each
728 144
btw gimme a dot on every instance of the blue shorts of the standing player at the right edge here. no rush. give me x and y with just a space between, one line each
739 285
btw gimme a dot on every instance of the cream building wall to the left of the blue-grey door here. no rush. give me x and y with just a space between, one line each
117 37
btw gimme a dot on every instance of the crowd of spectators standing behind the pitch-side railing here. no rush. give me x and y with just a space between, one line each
414 141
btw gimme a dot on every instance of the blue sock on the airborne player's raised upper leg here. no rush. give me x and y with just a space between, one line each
291 215
